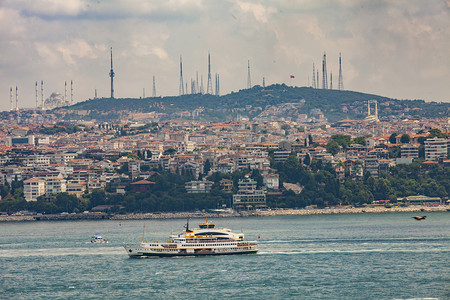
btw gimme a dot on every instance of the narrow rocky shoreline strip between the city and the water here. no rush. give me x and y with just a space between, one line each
261 213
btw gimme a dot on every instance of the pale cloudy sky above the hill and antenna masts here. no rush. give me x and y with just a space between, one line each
397 49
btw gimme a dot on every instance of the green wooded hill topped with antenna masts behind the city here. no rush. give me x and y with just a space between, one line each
257 104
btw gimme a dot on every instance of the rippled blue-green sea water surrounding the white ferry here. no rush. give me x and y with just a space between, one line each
366 256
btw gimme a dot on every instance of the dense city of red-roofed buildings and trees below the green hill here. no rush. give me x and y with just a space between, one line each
49 165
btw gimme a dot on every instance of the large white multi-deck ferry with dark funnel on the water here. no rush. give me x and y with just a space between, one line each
205 240
